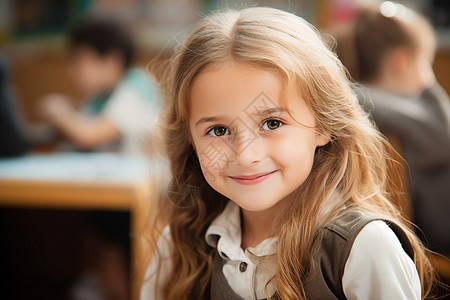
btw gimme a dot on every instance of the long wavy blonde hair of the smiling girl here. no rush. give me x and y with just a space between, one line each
351 170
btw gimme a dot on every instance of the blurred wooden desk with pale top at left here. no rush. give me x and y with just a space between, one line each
81 181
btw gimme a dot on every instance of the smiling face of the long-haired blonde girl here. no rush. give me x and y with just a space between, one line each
250 148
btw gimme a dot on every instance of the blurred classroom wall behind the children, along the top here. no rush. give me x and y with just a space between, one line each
32 33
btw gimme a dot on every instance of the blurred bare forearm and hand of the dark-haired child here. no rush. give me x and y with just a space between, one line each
85 132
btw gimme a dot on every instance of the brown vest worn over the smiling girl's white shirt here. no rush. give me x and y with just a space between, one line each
328 266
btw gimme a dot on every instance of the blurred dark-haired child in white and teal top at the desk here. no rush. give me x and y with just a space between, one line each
122 101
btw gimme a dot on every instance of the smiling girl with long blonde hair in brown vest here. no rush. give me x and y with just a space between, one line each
279 183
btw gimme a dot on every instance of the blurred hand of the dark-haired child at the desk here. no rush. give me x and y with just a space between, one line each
55 105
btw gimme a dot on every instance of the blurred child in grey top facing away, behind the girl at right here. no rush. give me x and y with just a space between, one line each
390 50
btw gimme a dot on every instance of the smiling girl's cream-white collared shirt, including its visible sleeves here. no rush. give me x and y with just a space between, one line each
377 267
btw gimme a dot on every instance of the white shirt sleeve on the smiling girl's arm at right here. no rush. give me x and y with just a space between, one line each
379 268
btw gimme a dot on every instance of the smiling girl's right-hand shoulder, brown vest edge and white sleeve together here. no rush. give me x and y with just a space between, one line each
358 251
